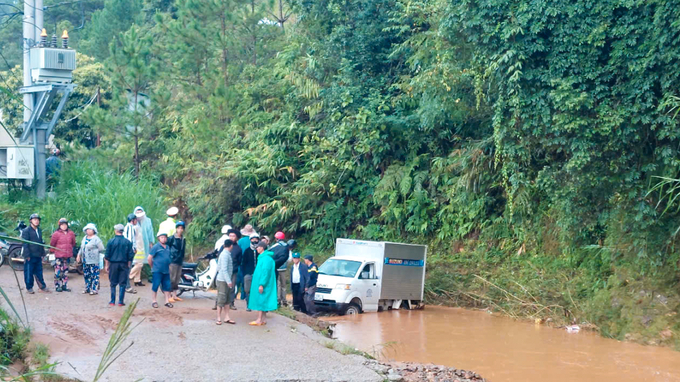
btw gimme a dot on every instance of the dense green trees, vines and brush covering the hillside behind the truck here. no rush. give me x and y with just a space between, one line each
519 139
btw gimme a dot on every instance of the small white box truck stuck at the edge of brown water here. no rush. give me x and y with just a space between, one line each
369 276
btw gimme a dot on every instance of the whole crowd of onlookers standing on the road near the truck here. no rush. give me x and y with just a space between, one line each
247 262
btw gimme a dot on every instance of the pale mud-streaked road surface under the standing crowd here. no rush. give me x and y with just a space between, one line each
179 344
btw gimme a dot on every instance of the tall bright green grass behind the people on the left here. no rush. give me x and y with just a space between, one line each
88 192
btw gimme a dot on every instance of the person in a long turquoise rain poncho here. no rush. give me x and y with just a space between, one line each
263 288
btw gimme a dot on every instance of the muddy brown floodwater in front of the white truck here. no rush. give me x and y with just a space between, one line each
502 349
